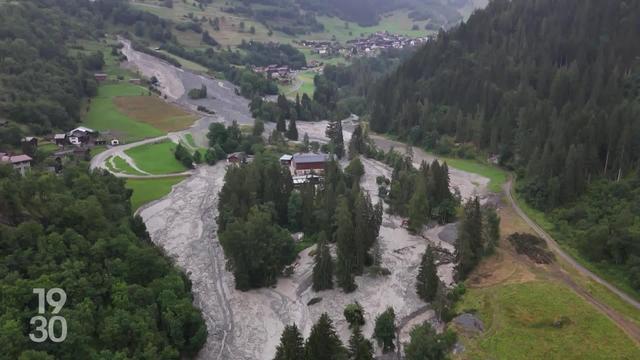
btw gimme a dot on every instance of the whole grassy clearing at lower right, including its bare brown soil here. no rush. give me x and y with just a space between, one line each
530 311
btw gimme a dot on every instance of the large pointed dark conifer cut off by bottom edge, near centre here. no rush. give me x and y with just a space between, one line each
323 342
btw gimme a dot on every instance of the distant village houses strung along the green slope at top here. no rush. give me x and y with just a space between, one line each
365 46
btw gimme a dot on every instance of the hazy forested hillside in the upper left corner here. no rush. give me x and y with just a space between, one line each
42 85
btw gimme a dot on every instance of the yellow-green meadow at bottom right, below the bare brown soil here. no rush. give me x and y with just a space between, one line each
519 324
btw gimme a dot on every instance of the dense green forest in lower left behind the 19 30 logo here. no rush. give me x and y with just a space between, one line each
75 231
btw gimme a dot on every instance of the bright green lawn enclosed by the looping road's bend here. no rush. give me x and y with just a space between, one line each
156 158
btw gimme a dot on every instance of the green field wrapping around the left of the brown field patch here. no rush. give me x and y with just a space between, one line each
103 114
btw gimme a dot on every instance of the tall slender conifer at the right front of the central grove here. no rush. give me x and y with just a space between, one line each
346 246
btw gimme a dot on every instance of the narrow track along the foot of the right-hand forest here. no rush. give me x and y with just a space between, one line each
566 257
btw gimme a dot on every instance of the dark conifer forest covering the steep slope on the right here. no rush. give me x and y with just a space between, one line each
552 88
